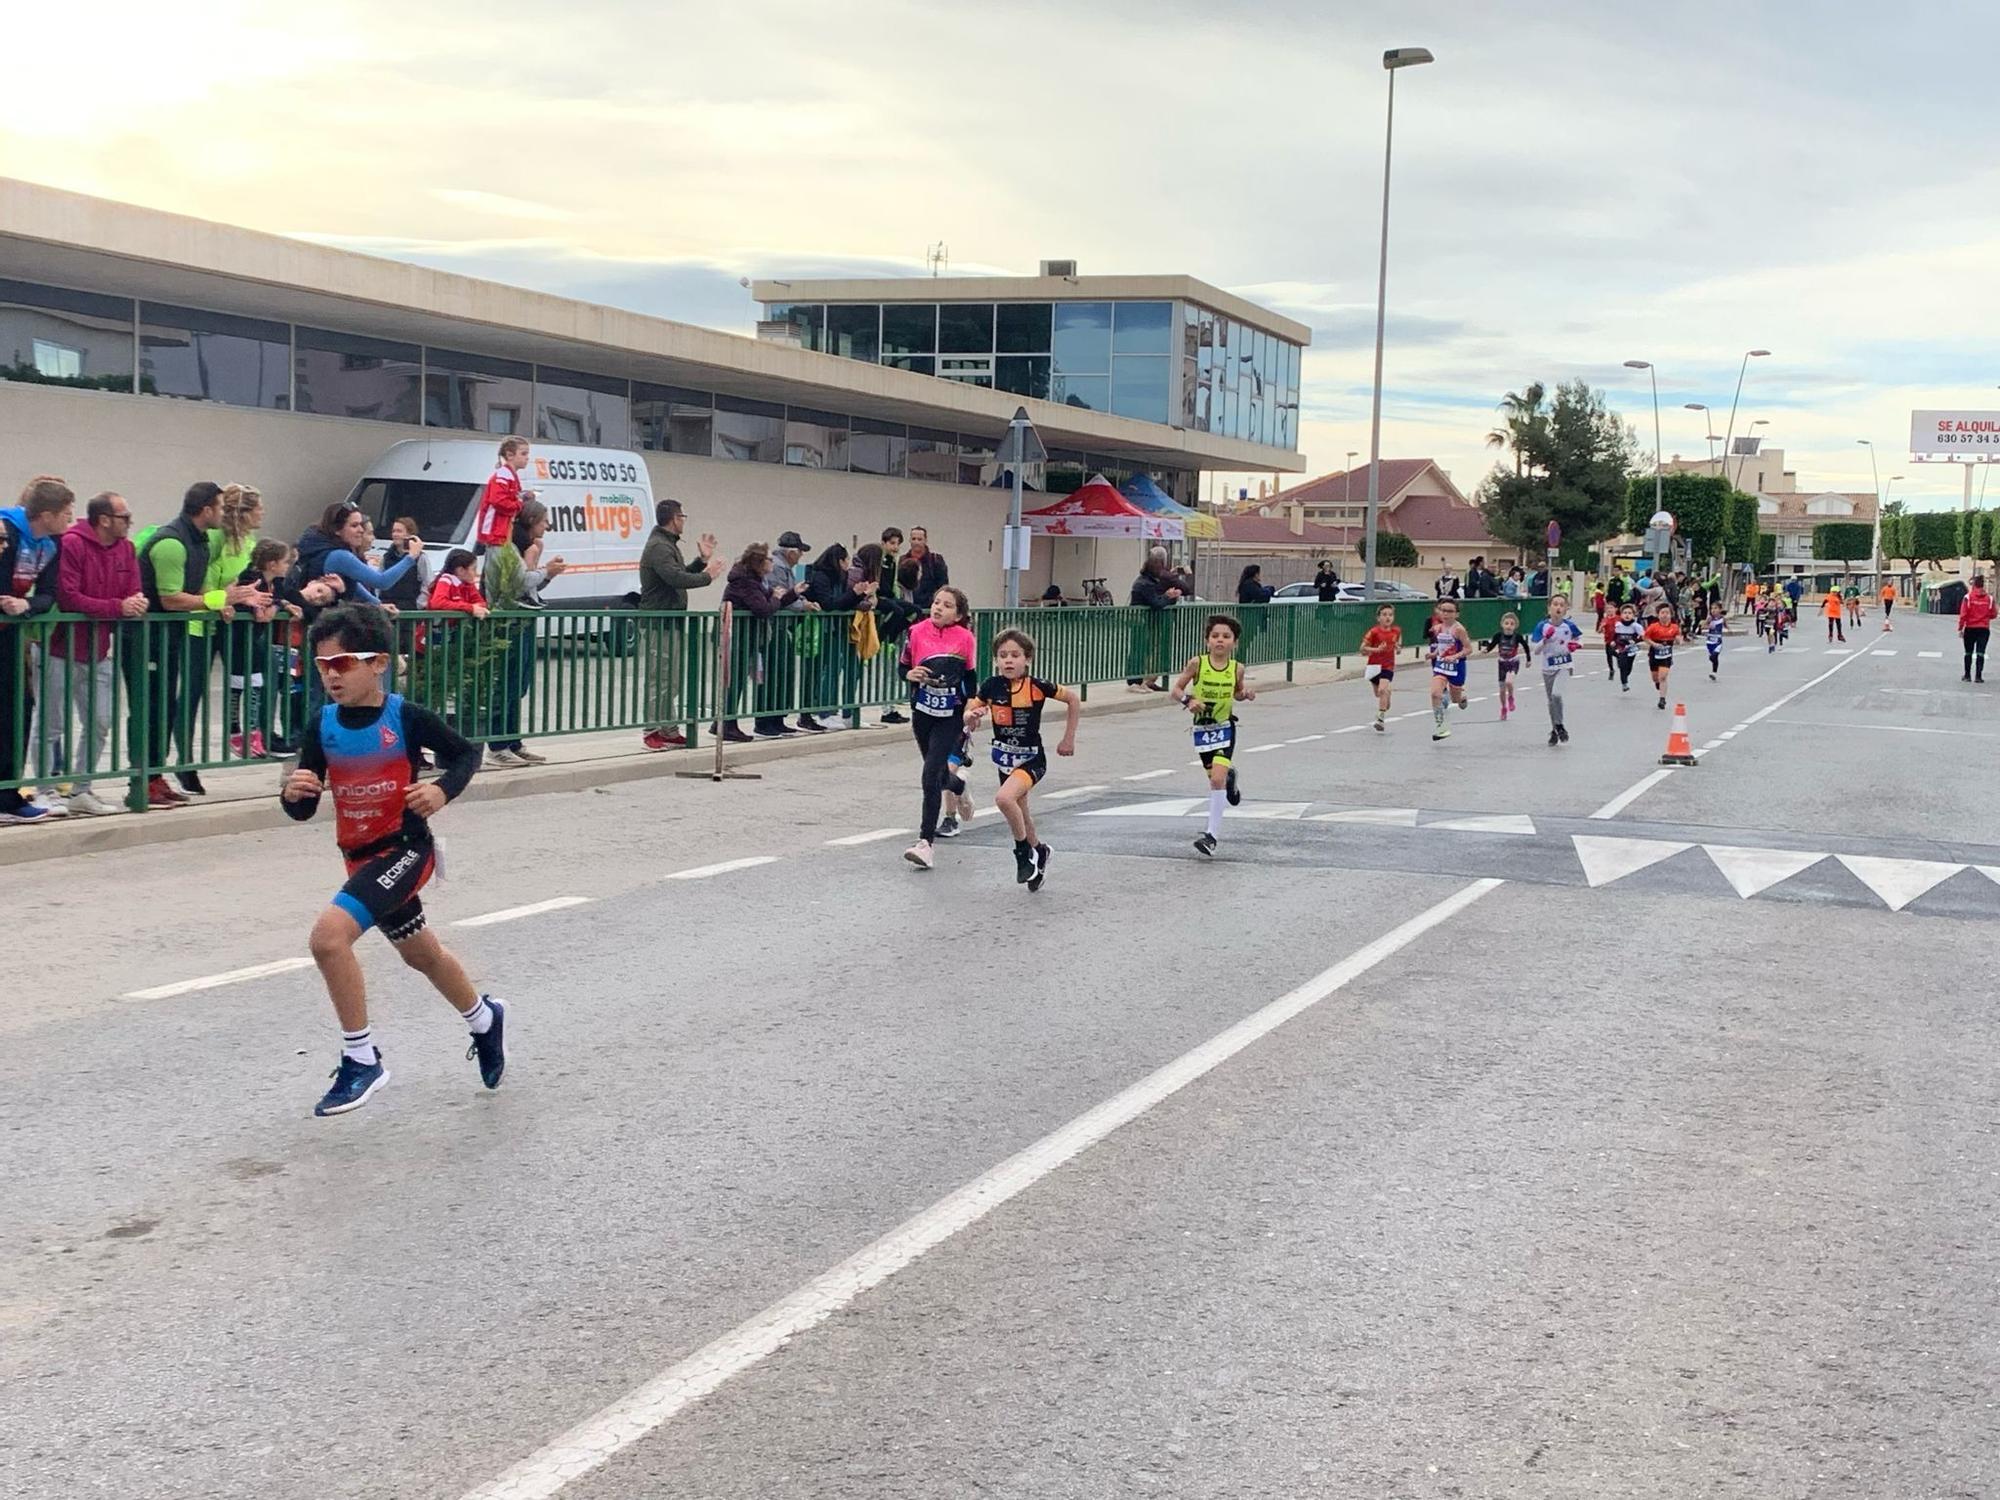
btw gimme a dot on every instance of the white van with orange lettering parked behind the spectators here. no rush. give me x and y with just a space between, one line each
599 509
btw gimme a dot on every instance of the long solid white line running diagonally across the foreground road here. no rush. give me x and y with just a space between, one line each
643 1411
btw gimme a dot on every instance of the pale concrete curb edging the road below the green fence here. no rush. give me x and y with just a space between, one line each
255 815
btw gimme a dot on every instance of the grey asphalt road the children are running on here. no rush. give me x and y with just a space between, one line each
1437 1139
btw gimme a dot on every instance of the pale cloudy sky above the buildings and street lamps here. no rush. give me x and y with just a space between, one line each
1577 185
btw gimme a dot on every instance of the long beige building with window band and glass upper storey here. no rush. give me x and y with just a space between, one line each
141 351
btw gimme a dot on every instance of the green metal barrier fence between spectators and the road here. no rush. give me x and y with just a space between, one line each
91 703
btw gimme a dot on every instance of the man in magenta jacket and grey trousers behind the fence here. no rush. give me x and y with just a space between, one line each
97 575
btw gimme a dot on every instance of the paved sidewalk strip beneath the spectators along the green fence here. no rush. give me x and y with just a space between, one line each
241 801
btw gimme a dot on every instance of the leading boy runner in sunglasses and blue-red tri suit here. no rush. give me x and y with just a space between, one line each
365 747
